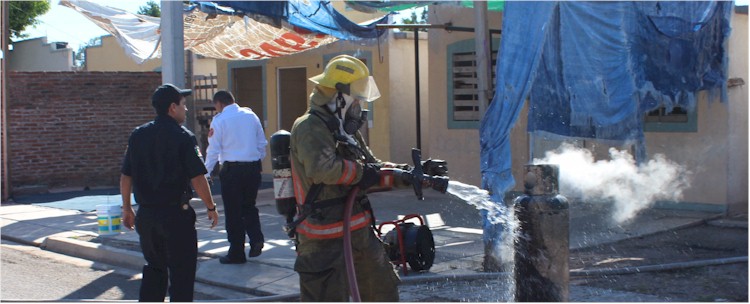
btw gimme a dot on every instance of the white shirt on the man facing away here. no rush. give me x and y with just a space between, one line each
235 135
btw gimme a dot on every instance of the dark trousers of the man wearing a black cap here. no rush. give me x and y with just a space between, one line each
169 243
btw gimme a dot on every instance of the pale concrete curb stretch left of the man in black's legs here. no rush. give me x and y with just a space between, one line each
94 252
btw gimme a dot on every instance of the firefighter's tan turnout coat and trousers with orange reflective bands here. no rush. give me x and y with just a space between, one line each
317 158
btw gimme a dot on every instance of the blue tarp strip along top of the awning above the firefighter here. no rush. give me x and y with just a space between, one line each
313 15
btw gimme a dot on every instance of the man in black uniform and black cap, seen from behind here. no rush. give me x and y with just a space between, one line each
161 162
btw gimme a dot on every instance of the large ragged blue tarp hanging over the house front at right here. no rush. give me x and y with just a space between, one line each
593 69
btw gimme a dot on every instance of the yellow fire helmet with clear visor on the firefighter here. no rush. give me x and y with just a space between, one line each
350 76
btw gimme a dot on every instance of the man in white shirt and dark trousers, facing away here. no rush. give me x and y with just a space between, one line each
236 140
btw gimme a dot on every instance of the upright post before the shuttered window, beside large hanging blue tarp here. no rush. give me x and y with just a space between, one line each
482 46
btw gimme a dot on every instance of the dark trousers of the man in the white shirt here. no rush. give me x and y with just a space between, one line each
239 189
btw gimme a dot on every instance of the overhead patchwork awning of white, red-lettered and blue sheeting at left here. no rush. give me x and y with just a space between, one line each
230 35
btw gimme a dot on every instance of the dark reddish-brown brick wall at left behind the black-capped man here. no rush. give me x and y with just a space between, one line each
70 129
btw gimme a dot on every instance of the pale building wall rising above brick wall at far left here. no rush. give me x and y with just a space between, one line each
38 55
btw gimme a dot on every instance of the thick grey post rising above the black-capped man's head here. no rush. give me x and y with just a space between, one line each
172 43
